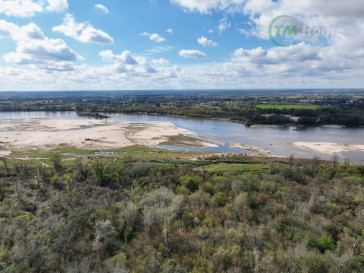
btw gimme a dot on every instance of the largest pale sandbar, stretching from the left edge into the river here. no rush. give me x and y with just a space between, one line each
85 134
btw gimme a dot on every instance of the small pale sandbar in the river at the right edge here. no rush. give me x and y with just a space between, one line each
327 147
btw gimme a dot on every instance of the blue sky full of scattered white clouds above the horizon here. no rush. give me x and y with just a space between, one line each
48 45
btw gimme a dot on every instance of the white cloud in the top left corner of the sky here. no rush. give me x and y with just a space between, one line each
20 8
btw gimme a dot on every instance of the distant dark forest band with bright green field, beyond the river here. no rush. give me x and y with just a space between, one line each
310 108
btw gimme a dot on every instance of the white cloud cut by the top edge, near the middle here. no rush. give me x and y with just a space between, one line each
205 6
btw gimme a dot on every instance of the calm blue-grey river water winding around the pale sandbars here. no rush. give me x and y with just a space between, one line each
225 131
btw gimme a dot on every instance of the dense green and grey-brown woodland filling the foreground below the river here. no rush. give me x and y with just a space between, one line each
228 214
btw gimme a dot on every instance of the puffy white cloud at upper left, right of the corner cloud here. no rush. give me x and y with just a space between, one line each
82 32
